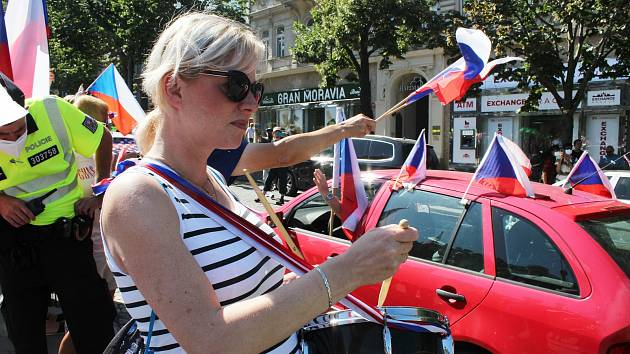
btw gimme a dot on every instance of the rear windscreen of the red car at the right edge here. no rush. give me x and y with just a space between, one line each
613 234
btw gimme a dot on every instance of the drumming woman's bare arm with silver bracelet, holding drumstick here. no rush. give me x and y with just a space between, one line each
150 248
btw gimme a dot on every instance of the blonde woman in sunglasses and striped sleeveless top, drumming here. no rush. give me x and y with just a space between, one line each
212 308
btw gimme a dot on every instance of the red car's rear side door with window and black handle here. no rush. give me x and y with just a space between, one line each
446 270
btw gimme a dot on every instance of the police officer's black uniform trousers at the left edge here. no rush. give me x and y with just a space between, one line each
30 270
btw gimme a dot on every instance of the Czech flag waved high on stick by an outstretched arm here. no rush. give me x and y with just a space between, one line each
453 82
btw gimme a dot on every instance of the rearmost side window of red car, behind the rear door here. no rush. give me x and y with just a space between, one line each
524 253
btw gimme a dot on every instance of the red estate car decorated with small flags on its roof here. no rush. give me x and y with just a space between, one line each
513 275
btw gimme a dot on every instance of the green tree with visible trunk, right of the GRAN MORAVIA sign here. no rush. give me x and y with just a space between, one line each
344 34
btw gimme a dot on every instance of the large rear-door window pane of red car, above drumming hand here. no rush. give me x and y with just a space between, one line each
434 215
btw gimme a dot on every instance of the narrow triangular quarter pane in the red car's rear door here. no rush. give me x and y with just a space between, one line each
467 249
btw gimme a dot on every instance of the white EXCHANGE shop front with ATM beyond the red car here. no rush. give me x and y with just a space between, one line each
602 119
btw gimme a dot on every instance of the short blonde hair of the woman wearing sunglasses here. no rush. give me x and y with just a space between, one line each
195 42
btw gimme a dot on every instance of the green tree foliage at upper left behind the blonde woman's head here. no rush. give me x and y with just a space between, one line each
88 35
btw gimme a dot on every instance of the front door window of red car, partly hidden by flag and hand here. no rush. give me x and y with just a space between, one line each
313 214
